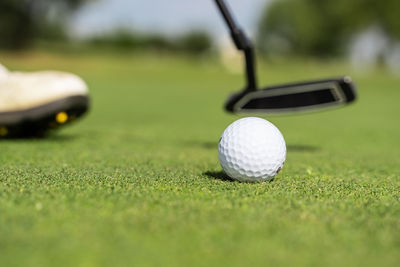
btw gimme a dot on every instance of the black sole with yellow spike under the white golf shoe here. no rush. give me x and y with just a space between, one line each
37 121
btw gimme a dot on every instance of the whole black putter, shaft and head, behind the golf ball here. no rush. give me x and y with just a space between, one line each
287 98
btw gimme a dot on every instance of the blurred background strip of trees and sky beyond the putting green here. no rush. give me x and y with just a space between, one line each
363 32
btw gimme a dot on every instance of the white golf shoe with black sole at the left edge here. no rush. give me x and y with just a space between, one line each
33 103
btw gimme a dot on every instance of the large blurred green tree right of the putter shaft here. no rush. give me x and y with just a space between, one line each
323 27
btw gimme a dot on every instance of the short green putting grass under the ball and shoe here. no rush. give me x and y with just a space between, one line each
137 182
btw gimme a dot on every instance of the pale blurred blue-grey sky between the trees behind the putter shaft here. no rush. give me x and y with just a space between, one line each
162 16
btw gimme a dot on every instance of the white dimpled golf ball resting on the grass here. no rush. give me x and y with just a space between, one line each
252 150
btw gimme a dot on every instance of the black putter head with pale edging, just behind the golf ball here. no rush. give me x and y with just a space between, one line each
294 98
